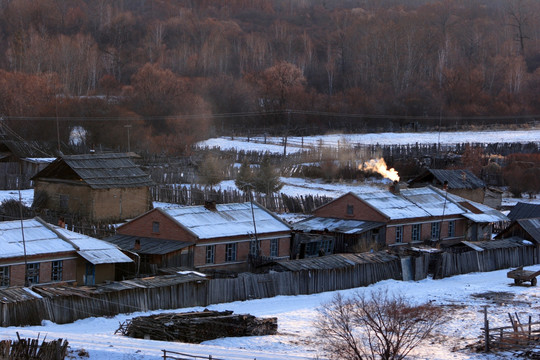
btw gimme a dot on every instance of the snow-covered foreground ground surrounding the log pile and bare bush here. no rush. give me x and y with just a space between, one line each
463 296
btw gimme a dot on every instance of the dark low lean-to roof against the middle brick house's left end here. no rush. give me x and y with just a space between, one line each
148 245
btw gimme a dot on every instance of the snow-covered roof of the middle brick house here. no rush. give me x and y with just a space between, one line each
226 220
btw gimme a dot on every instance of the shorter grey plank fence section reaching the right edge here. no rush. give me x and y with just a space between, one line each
487 260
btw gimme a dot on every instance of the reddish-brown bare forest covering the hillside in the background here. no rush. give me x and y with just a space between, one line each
172 72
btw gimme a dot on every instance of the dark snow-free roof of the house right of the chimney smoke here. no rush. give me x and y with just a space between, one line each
457 179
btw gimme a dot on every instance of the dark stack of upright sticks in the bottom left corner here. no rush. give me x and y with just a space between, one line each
31 349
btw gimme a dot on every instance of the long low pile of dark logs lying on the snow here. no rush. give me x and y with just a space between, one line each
196 327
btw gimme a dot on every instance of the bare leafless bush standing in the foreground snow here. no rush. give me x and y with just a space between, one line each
379 326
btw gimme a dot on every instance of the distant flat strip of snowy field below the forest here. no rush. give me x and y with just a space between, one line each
294 144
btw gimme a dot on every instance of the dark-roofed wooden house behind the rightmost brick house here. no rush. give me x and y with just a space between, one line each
459 182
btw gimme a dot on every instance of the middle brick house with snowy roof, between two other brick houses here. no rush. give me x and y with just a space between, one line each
219 236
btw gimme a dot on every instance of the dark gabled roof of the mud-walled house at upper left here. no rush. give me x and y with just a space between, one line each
100 171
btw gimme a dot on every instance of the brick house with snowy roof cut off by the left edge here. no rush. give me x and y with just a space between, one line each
51 254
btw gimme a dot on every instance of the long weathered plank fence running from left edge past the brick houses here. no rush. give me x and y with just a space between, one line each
86 303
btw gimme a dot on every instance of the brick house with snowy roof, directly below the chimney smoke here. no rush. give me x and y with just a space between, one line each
416 215
